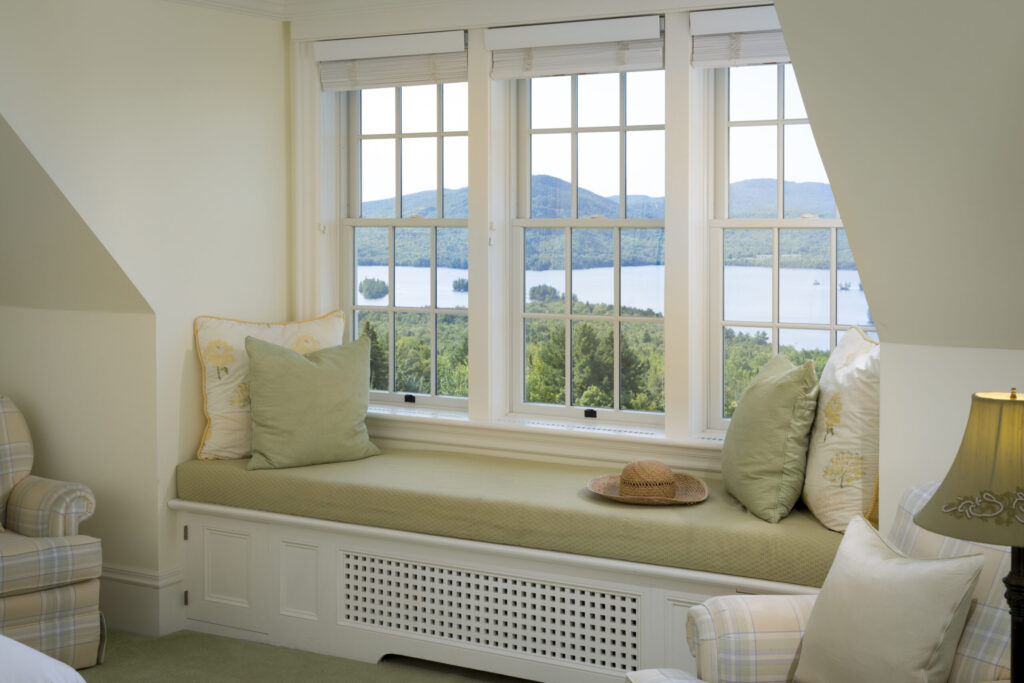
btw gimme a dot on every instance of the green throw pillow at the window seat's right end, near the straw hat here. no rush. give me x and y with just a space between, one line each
765 452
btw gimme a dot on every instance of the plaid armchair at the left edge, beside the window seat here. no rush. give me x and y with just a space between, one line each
50 575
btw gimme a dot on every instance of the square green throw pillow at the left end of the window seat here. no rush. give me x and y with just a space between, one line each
309 409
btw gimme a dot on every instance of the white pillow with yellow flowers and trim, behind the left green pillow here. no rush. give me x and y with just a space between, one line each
222 348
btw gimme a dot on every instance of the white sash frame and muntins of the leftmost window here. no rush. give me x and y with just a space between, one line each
350 224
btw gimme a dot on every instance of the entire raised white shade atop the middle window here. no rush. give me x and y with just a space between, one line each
578 48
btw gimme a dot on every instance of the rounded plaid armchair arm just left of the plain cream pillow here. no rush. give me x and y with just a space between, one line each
748 638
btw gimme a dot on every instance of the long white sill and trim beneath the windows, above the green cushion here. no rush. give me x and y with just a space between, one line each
537 439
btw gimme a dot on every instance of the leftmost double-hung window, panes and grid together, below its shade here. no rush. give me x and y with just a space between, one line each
410 238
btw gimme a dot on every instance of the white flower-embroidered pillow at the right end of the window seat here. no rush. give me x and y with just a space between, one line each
843 456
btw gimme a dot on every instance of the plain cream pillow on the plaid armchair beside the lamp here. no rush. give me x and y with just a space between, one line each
884 617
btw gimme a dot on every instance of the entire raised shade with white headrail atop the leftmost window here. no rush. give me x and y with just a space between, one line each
392 61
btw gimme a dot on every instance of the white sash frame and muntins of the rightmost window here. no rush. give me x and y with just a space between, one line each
717 227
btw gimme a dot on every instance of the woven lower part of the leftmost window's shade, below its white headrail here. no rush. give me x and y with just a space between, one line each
386 72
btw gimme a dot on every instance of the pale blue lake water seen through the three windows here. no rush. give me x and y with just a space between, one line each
803 293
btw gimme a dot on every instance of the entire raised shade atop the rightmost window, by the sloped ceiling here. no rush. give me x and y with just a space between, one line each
738 37
